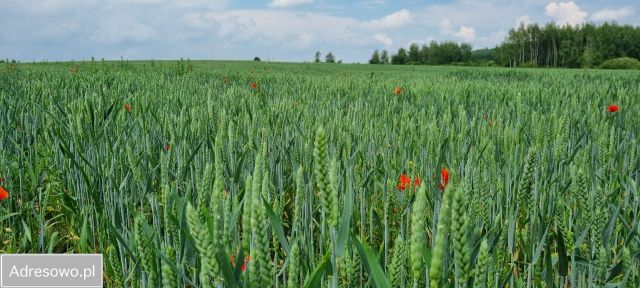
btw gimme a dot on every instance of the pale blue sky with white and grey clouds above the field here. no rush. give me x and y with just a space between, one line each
275 30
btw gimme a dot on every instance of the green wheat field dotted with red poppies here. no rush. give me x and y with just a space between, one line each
232 174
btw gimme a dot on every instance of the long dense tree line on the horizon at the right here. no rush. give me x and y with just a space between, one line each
587 45
